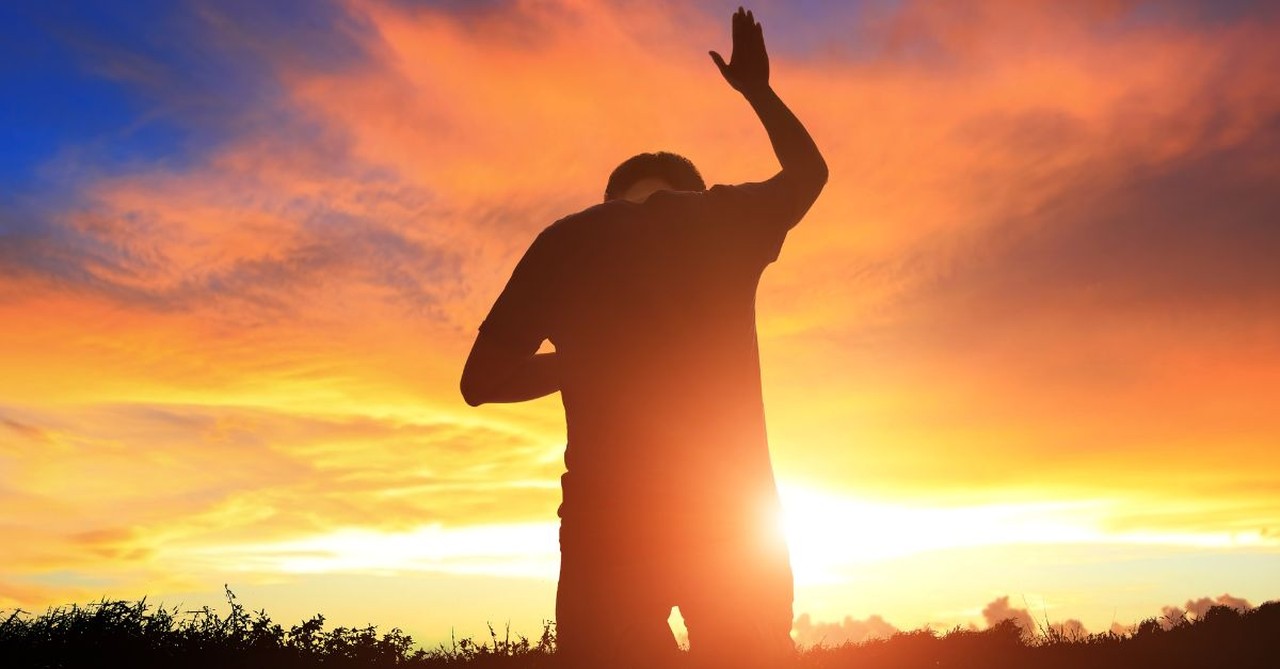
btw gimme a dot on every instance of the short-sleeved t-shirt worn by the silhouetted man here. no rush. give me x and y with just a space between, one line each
652 311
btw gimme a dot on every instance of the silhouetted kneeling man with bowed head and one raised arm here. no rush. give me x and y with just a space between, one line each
650 300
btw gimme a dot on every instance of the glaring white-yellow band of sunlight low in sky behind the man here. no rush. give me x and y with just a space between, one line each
829 537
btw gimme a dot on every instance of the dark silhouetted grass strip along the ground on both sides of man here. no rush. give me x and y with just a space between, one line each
141 636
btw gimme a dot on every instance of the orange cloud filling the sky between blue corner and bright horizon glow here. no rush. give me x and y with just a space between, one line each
1044 269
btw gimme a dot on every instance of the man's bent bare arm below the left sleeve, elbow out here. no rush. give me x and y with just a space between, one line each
495 373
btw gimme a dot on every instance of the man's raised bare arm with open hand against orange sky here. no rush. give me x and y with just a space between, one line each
748 72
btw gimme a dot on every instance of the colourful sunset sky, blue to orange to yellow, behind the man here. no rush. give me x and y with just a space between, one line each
1026 346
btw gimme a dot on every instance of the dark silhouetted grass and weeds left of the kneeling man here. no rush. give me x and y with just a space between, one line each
140 636
